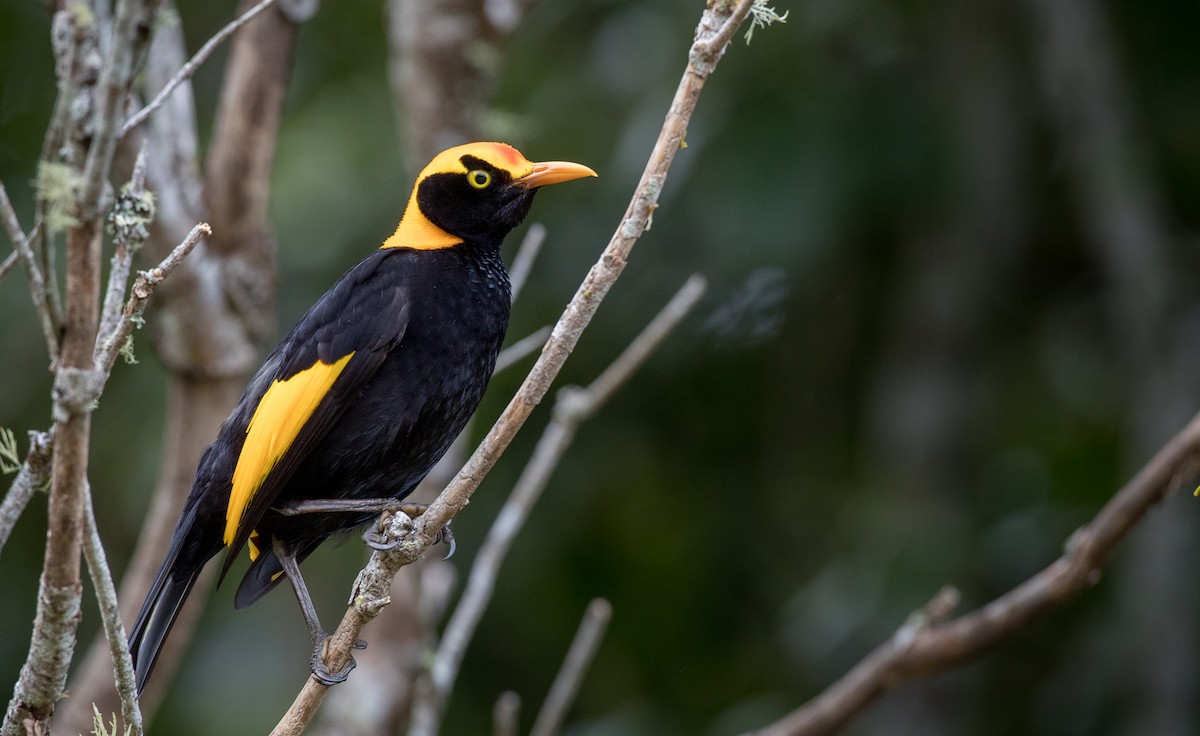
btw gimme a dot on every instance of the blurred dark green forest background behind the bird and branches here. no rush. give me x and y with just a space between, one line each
952 252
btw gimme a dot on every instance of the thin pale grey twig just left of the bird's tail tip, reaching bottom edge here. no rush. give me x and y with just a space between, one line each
111 618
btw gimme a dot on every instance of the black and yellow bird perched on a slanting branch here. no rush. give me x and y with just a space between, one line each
362 398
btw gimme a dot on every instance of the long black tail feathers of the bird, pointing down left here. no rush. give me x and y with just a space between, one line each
166 599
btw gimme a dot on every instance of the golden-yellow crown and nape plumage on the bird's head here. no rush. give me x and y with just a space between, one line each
416 230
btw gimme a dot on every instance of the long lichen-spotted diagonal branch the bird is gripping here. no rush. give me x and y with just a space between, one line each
716 21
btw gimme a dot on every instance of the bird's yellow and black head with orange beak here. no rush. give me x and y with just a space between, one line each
478 193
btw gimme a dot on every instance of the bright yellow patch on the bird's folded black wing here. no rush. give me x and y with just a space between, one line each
285 409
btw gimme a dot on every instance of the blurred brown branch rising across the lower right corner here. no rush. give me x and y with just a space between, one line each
920 651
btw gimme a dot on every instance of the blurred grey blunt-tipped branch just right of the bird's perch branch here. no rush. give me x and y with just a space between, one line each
572 409
